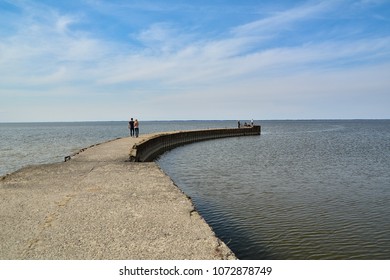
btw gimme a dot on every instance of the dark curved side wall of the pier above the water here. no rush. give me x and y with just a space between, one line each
151 148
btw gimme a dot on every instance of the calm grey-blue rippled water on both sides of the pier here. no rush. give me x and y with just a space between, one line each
301 190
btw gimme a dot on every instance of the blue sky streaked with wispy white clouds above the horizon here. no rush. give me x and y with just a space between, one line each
162 60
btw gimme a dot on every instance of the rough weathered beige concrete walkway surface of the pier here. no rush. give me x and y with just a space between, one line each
97 206
